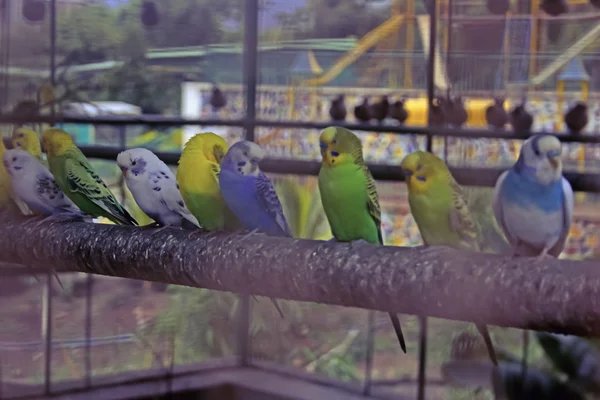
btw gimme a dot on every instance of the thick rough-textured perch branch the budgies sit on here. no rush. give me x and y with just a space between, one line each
557 296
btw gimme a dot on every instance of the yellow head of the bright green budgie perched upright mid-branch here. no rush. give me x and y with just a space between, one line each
340 146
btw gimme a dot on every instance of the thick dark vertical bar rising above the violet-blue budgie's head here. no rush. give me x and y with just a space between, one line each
250 64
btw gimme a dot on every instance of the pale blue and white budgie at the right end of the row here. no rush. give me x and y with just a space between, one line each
533 202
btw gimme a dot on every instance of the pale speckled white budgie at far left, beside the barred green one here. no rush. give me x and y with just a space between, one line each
34 184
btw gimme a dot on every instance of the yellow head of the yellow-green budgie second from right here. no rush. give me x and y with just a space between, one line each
421 169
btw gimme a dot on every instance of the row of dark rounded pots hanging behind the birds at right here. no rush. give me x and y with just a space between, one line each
451 111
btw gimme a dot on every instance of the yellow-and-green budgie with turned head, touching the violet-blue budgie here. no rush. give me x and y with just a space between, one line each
198 179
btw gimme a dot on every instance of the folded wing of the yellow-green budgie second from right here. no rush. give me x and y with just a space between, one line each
461 221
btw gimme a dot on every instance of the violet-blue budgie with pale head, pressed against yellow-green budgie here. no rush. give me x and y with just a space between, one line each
249 193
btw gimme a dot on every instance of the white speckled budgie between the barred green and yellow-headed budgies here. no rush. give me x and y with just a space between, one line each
154 188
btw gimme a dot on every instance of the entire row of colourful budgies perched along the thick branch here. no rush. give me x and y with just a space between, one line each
218 187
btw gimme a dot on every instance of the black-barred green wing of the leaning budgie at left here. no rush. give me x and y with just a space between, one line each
82 179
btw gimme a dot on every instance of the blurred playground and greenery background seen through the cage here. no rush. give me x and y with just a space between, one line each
98 62
